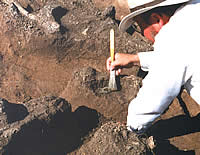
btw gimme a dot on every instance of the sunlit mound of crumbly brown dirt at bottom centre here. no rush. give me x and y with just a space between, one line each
113 138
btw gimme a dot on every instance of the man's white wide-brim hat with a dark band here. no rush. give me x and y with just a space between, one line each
140 6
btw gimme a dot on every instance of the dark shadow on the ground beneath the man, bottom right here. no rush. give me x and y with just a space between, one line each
173 127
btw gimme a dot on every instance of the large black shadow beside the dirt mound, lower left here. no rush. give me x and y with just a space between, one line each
61 135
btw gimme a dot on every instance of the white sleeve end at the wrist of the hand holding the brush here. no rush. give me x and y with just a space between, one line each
146 59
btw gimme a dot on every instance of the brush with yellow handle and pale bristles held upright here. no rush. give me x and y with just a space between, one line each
112 81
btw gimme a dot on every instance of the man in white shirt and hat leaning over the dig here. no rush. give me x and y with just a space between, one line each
173 63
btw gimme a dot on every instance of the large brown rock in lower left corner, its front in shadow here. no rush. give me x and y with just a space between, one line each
43 119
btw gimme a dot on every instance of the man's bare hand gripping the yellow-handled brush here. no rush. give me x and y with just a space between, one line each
122 61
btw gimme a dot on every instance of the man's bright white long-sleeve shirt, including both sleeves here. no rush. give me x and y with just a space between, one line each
174 62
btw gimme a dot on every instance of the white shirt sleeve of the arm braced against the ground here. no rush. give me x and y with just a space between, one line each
160 87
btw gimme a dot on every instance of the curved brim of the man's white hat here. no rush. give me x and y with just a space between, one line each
127 20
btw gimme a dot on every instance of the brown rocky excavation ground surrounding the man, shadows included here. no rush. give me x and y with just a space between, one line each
44 64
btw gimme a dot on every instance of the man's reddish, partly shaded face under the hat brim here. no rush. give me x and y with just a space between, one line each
151 26
